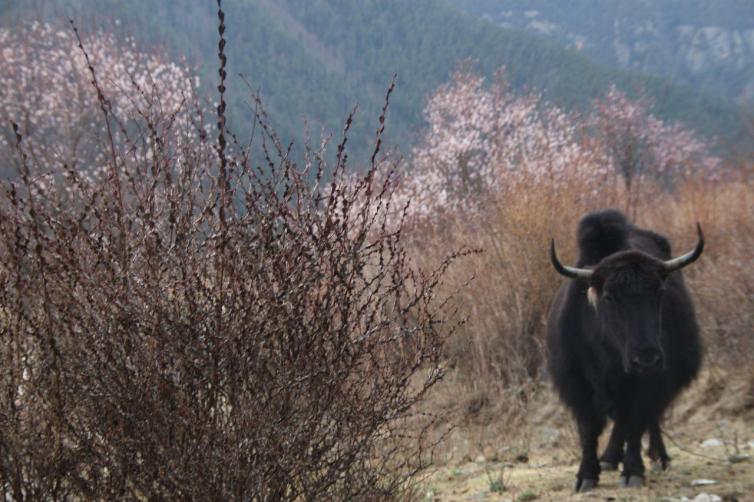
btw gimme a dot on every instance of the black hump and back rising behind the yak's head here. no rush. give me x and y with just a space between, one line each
603 233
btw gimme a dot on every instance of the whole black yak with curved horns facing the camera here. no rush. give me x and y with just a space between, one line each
622 341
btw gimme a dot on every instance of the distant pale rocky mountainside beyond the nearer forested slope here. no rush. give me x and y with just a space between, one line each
708 45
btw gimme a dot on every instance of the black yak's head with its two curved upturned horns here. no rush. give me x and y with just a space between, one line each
626 289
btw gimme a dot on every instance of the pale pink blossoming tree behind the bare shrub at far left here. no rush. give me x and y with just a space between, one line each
47 89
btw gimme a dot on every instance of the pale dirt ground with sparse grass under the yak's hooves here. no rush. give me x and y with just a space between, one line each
709 435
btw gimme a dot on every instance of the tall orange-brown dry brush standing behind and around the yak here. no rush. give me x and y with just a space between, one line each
497 357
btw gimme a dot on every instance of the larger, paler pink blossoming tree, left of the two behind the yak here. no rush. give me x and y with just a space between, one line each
480 137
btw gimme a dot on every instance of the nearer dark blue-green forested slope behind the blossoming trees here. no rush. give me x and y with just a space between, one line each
314 60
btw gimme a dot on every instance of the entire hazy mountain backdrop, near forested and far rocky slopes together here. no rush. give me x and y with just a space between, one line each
314 60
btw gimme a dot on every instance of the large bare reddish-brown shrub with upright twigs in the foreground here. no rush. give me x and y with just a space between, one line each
193 326
